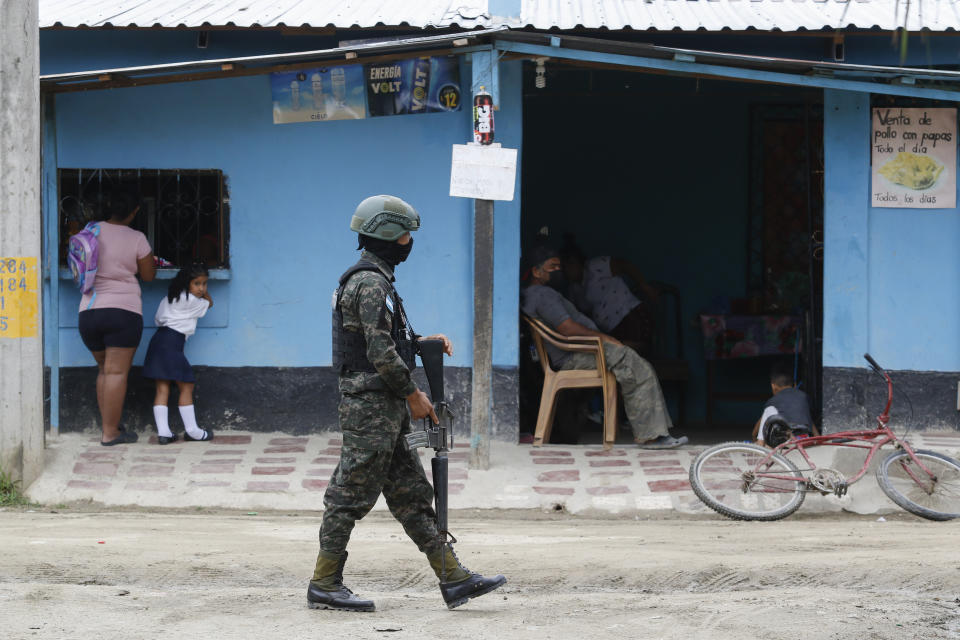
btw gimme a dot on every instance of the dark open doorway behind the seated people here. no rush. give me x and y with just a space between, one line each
713 189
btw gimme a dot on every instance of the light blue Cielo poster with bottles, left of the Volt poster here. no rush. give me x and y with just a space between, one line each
317 95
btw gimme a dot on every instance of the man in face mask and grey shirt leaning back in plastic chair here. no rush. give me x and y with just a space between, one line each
642 397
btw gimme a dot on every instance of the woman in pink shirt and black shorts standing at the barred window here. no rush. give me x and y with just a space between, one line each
111 314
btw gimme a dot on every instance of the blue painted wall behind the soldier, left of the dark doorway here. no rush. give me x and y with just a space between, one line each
292 189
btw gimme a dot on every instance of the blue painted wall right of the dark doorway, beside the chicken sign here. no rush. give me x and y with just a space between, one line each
892 276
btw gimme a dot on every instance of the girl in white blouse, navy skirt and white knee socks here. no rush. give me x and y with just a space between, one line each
187 300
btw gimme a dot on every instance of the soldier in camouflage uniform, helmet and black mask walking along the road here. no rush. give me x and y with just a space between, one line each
373 351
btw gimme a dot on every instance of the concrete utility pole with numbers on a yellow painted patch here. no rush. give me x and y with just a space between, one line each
21 337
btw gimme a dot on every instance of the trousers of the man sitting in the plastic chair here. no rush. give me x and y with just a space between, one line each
639 387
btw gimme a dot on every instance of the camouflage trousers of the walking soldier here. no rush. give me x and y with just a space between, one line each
374 460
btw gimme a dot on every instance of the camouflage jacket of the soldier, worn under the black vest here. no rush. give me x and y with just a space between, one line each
366 306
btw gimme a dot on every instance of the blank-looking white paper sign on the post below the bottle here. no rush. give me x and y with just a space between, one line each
484 172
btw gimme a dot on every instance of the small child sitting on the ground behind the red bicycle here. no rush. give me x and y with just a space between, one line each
786 413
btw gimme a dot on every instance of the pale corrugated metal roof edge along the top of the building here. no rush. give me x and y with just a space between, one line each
641 15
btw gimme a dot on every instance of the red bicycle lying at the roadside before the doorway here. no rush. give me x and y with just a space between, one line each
750 482
